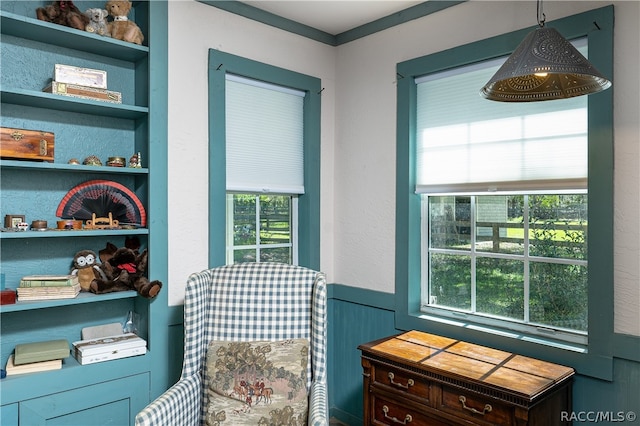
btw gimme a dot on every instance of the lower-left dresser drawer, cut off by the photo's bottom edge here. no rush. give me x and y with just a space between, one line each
390 413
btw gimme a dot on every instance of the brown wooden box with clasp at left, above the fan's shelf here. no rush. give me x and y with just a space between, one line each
21 144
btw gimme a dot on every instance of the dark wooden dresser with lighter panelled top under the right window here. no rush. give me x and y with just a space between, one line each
418 378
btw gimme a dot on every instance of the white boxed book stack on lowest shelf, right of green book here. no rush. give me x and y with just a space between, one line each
107 348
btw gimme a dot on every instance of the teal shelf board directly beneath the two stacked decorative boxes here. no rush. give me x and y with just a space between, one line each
35 99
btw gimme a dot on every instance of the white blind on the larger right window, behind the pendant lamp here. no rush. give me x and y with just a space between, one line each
466 143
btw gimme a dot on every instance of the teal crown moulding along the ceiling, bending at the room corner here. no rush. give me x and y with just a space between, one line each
256 14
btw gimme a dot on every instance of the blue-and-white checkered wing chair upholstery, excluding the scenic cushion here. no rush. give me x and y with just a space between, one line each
245 302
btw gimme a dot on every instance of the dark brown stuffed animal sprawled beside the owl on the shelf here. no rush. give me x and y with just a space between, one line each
125 270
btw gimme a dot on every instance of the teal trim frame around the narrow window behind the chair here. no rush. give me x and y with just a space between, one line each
221 63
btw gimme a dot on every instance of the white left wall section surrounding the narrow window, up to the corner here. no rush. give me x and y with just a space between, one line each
194 28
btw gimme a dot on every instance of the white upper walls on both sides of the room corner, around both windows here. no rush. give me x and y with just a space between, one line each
358 130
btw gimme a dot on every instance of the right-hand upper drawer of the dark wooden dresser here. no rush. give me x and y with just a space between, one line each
475 407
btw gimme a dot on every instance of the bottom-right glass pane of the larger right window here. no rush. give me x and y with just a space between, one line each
559 295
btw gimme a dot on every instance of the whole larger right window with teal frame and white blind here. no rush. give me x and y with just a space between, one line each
504 211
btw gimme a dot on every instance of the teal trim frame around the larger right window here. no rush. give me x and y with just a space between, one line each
596 359
